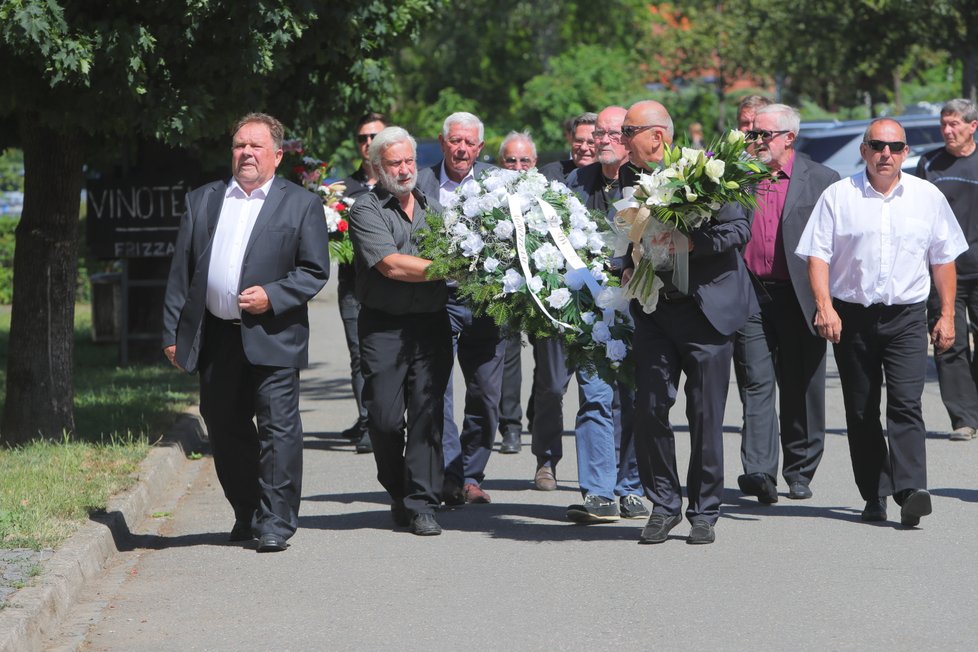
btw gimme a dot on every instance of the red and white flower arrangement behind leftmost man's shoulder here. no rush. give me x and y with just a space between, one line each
310 172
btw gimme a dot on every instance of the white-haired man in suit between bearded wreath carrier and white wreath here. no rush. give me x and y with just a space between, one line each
480 346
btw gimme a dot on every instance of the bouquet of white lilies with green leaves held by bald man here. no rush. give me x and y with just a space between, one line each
667 203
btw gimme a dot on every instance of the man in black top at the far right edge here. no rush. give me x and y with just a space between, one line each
954 170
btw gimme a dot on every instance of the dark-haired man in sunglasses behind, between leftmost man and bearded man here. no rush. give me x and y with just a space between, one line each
358 183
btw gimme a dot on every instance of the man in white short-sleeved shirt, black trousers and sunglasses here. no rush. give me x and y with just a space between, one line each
870 243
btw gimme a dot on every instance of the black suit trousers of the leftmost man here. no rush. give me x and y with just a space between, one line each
259 466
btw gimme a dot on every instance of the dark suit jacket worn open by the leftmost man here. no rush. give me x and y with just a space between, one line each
287 255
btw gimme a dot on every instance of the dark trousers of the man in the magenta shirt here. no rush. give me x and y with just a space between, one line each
776 355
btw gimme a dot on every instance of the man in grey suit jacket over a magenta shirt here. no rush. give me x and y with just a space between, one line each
778 351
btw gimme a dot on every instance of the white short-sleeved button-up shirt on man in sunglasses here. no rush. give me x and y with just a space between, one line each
880 248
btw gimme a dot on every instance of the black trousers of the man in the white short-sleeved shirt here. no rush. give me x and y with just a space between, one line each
884 341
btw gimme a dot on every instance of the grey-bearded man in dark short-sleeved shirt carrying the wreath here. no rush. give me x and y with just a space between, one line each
405 337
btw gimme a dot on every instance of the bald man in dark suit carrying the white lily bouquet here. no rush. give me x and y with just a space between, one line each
688 332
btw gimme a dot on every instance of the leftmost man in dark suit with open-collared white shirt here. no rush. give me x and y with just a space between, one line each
249 256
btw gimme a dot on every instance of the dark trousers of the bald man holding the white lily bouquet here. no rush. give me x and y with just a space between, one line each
678 338
